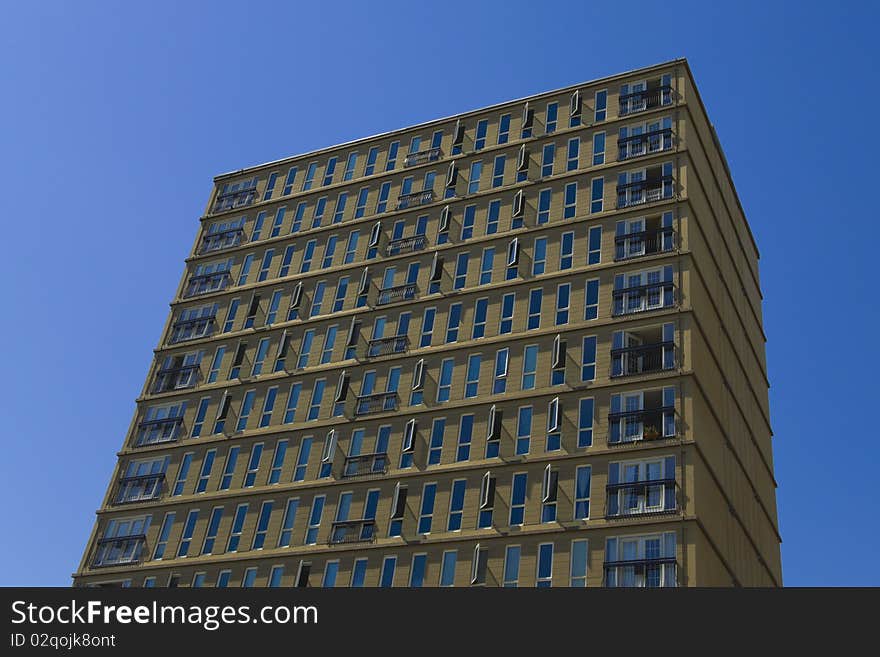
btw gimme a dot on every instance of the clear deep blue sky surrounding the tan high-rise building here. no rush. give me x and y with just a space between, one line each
115 117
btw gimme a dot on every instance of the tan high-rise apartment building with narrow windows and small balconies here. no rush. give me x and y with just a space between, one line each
521 346
